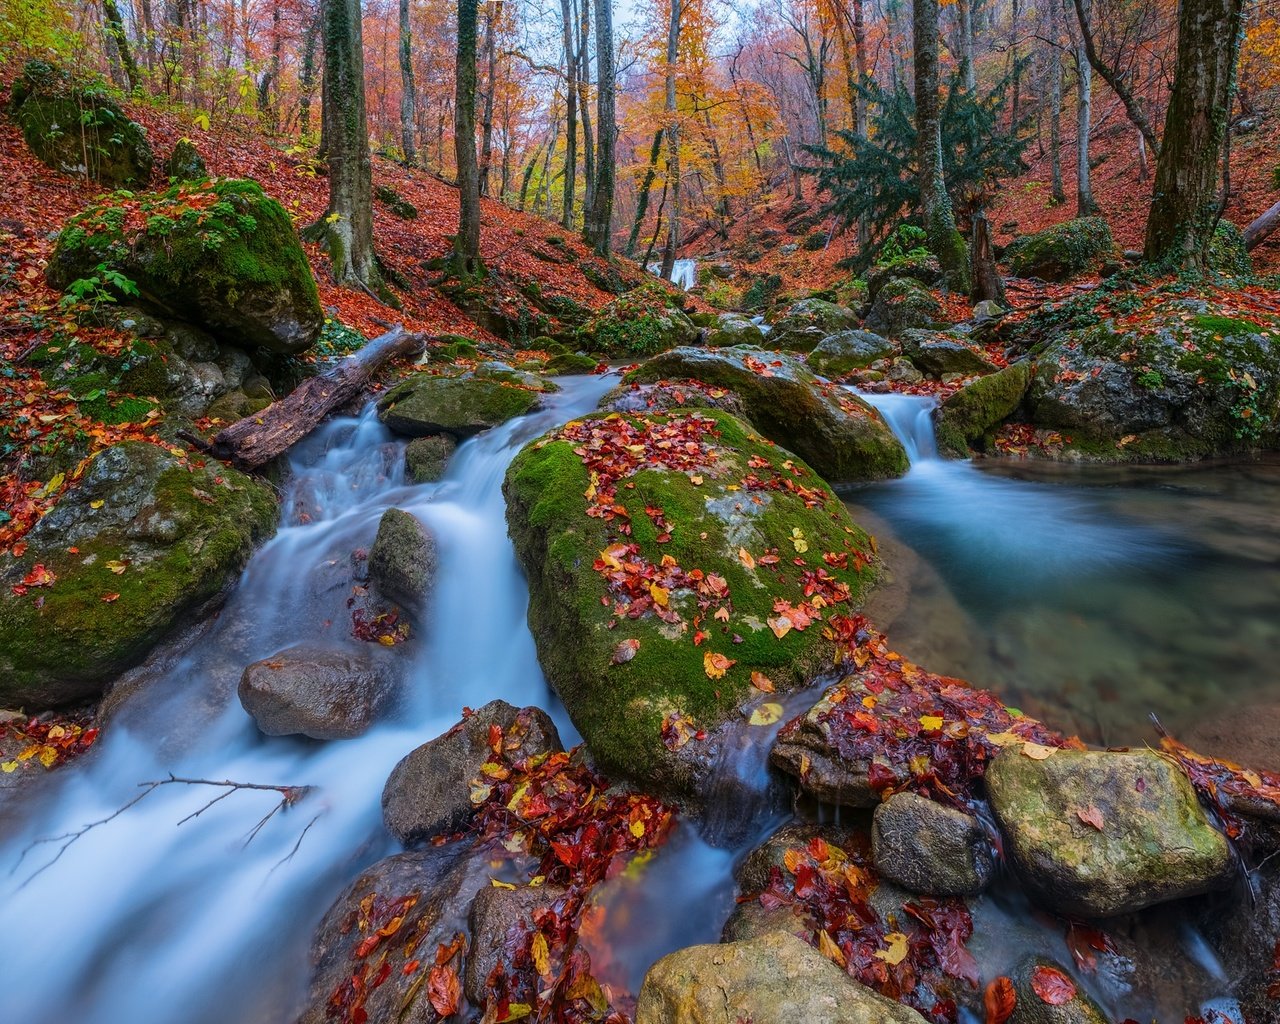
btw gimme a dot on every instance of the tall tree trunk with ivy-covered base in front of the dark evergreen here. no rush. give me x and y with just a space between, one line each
940 223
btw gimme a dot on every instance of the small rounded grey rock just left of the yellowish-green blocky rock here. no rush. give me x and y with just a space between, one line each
931 849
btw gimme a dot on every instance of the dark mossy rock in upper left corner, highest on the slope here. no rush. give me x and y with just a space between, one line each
79 129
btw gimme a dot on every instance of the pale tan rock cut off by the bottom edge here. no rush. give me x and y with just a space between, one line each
772 980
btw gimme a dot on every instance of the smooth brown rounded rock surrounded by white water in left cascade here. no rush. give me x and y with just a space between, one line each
318 691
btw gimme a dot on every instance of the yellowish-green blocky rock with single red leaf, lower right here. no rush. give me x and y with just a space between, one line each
1098 834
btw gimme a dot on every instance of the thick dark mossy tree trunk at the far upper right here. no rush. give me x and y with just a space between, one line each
1185 208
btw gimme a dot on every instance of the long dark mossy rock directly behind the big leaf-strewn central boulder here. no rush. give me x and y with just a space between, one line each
839 435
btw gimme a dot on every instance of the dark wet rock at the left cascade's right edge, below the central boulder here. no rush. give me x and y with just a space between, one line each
429 793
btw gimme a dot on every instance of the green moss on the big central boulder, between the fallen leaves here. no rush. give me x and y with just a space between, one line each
620 708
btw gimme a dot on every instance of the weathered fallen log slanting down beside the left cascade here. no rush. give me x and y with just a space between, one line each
255 441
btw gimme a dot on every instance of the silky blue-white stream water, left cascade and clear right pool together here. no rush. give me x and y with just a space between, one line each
150 918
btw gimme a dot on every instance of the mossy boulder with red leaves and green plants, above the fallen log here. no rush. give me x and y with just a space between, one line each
221 255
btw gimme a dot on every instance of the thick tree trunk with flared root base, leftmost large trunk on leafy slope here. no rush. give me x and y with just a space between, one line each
348 227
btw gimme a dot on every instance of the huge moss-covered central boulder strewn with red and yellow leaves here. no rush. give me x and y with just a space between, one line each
652 636
